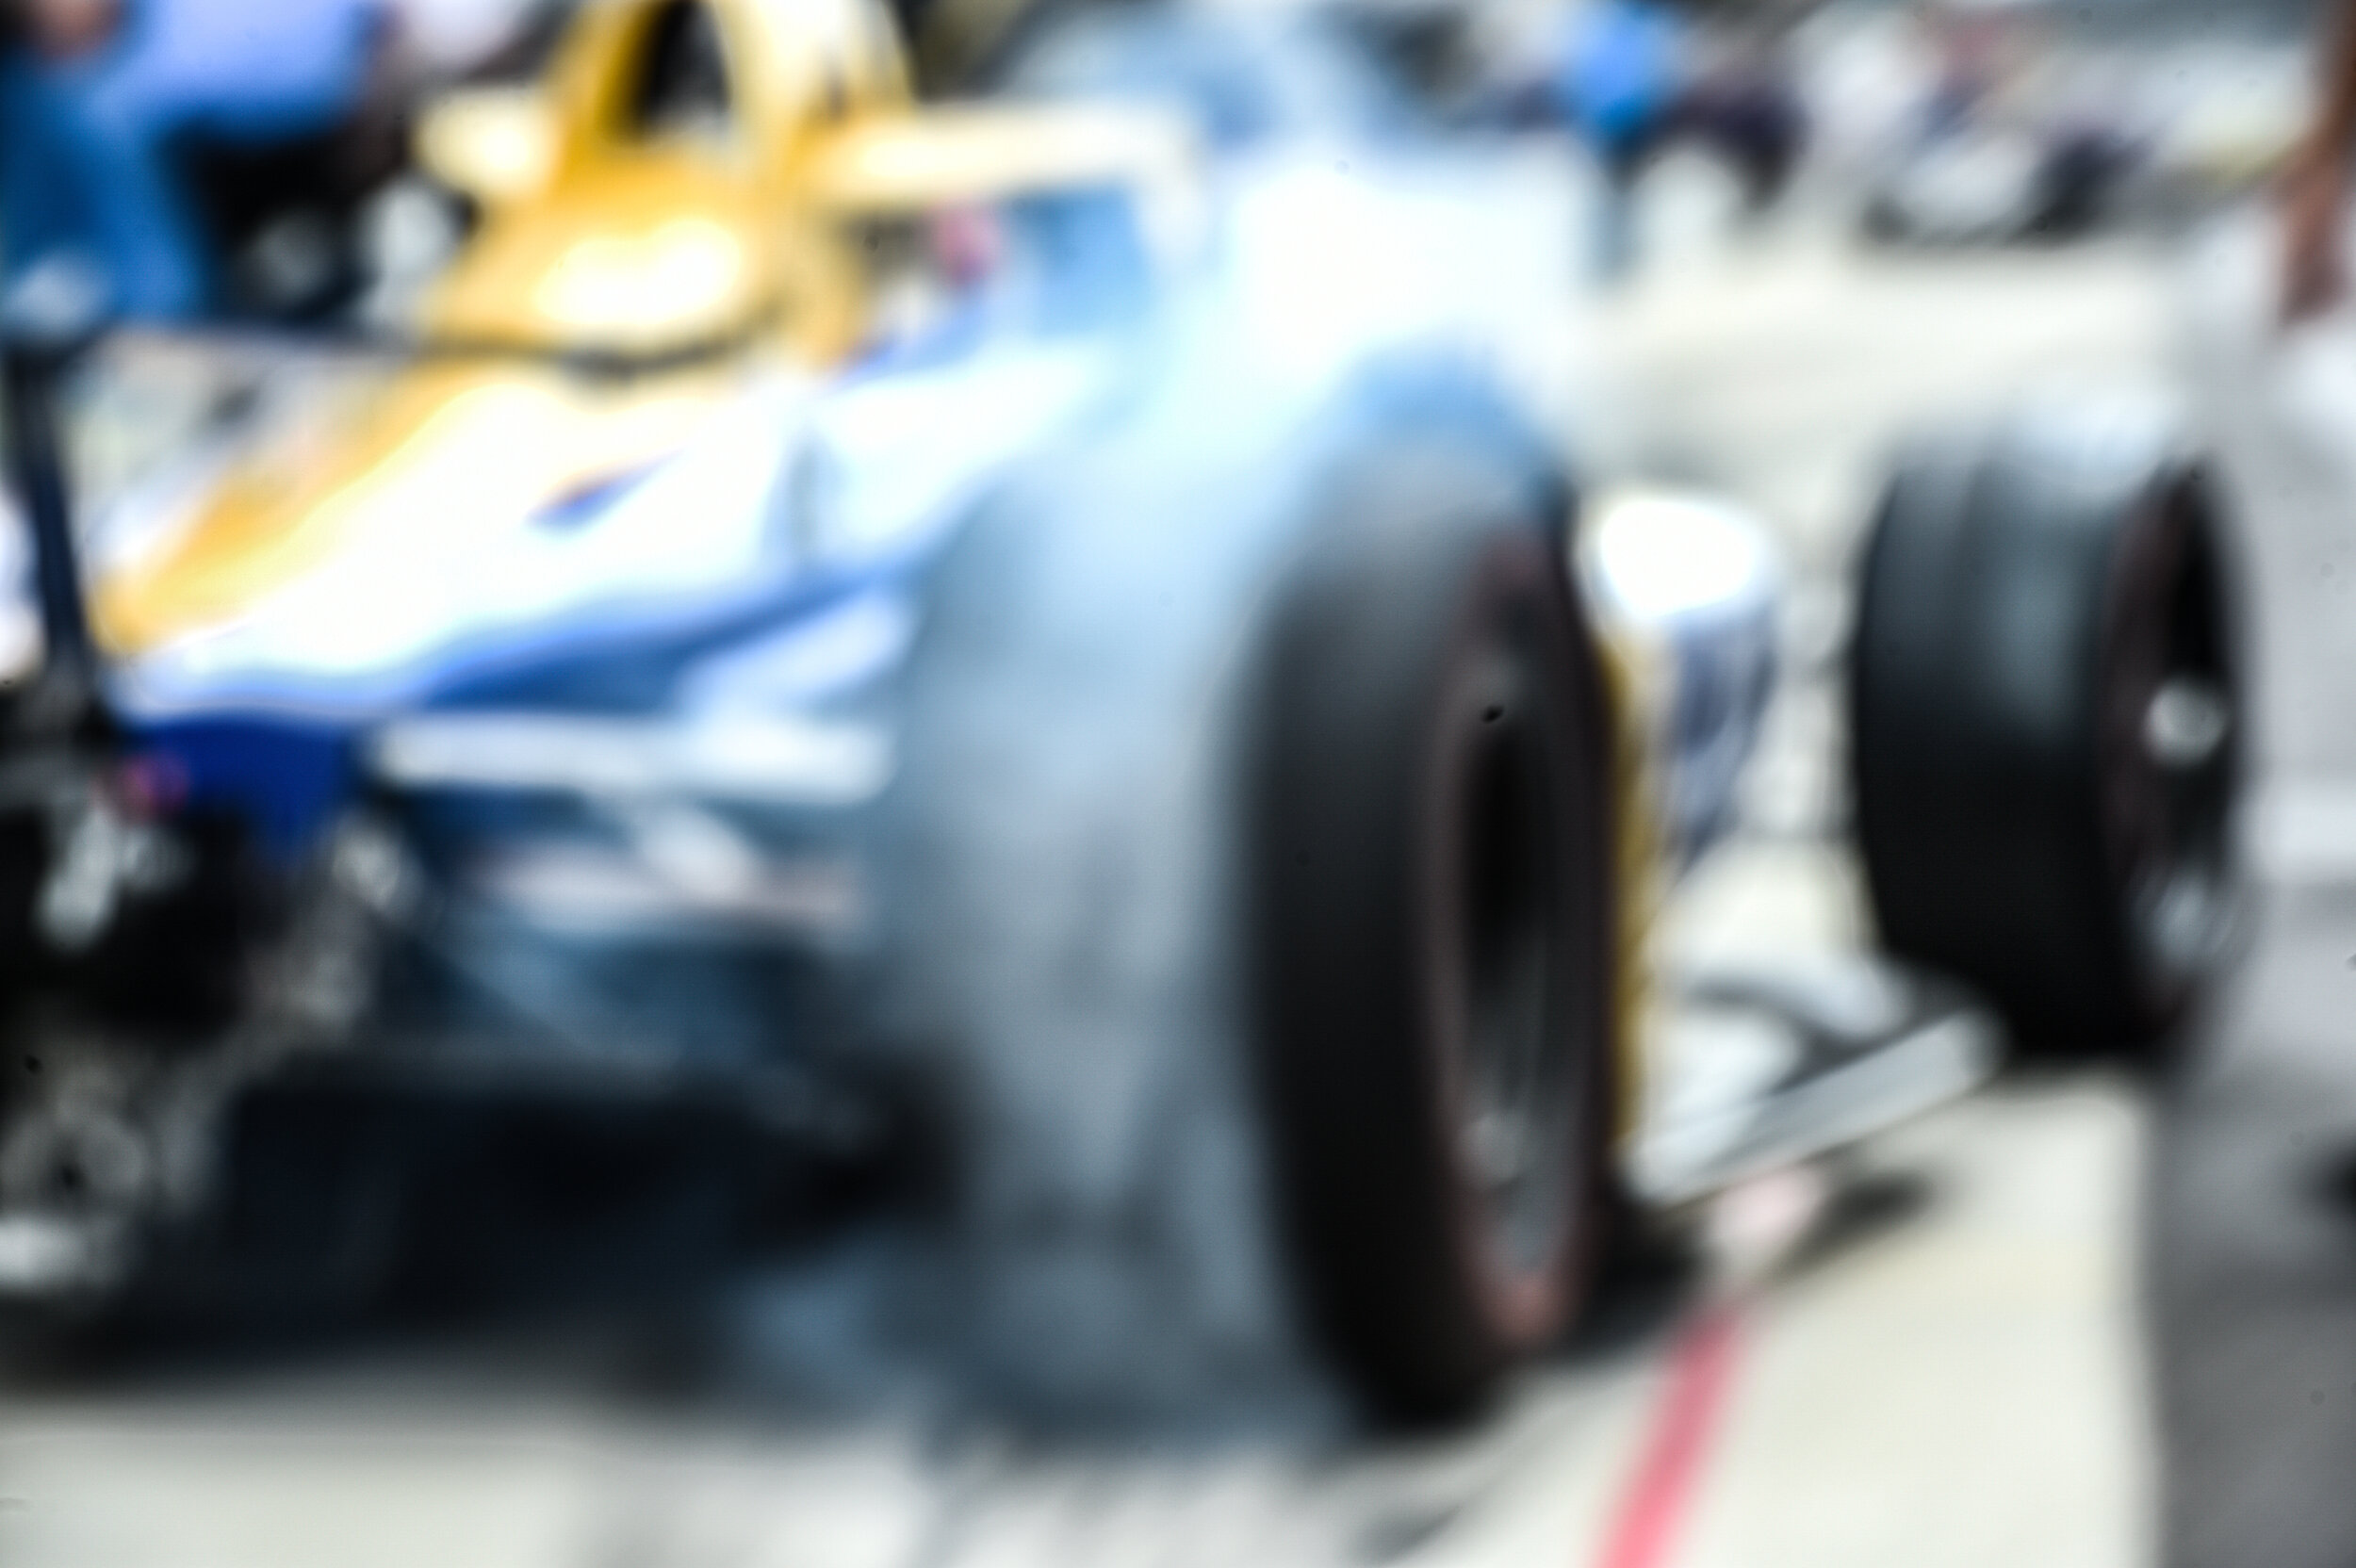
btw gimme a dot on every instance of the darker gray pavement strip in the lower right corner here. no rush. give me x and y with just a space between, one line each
2254 1258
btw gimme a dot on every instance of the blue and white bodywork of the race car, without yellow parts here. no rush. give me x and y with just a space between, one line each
590 792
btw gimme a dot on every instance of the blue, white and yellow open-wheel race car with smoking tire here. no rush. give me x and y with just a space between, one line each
993 667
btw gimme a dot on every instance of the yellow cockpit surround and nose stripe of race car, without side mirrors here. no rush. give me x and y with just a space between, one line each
635 244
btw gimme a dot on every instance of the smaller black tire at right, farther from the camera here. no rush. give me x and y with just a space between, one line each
2046 745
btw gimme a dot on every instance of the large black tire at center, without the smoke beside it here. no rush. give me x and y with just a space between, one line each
1434 934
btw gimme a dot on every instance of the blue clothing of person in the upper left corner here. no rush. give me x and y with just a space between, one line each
81 142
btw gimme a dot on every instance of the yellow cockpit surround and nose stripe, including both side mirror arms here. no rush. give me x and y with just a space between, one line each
736 239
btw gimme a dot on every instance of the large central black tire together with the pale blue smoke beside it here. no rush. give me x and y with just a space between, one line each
1248 896
